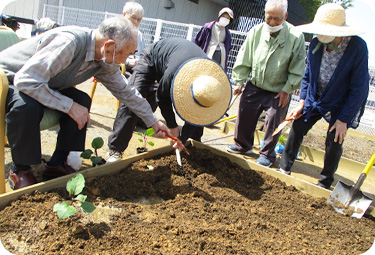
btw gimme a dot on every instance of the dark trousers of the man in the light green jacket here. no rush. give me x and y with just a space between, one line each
252 103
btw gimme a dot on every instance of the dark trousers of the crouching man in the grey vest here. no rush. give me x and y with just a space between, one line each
23 118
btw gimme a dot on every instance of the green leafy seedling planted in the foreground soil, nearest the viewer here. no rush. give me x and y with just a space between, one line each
74 187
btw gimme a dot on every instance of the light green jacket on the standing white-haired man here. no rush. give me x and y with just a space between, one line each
274 64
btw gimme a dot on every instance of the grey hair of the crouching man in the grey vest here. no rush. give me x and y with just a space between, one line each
119 29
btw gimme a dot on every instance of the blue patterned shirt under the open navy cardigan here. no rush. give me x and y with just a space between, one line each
330 60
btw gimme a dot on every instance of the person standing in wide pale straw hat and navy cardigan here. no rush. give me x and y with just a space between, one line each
335 87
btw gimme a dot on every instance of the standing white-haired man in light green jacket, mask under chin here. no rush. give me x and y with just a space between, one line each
273 54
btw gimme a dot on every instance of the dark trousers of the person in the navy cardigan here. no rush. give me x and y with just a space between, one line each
333 150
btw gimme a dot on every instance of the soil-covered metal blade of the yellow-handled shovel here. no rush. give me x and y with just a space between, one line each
340 196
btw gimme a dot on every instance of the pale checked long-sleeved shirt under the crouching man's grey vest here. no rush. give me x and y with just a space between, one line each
53 55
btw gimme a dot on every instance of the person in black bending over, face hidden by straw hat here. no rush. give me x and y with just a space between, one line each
196 87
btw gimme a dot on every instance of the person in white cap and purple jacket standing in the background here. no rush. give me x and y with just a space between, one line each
214 37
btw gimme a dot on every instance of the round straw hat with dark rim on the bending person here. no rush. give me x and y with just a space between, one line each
201 91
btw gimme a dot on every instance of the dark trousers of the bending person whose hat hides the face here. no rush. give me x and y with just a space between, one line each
126 120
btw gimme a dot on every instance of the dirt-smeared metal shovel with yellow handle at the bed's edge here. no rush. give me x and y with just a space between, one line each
349 200
